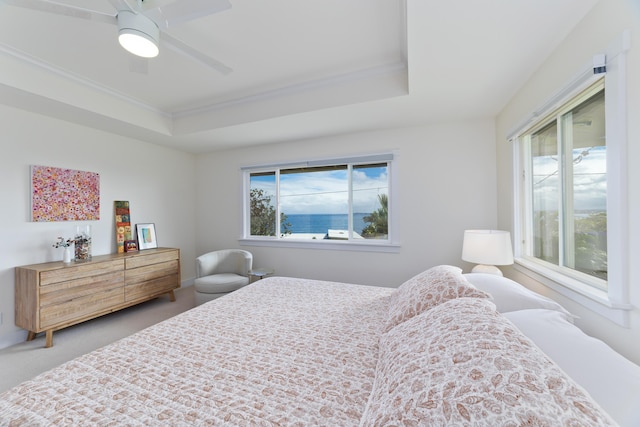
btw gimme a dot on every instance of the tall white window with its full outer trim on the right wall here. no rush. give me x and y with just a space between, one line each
570 189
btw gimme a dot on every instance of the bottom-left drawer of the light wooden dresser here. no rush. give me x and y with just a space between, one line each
87 306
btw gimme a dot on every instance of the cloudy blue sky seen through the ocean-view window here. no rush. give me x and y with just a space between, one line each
326 192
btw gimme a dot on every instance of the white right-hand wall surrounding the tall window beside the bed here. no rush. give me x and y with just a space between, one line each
604 24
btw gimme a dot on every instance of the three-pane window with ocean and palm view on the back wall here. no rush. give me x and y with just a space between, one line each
329 201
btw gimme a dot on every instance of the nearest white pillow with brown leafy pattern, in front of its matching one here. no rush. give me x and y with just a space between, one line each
462 363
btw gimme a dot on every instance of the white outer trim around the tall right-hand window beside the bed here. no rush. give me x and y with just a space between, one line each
614 303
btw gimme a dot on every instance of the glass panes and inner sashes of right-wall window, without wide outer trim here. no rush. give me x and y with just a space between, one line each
566 188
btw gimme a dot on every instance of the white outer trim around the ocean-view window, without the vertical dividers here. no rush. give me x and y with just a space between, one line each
392 245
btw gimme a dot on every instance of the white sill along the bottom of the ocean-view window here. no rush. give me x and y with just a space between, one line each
333 245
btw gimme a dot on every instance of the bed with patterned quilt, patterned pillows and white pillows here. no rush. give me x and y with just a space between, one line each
295 352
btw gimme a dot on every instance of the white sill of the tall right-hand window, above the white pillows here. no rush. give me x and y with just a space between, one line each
596 300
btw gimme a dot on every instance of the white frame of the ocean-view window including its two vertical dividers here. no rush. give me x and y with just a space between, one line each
391 244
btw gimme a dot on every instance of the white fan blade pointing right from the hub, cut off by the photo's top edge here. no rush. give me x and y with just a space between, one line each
182 11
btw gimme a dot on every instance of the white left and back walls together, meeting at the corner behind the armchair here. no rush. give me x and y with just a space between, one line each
446 180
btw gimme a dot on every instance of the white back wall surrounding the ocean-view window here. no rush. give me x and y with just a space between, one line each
446 184
